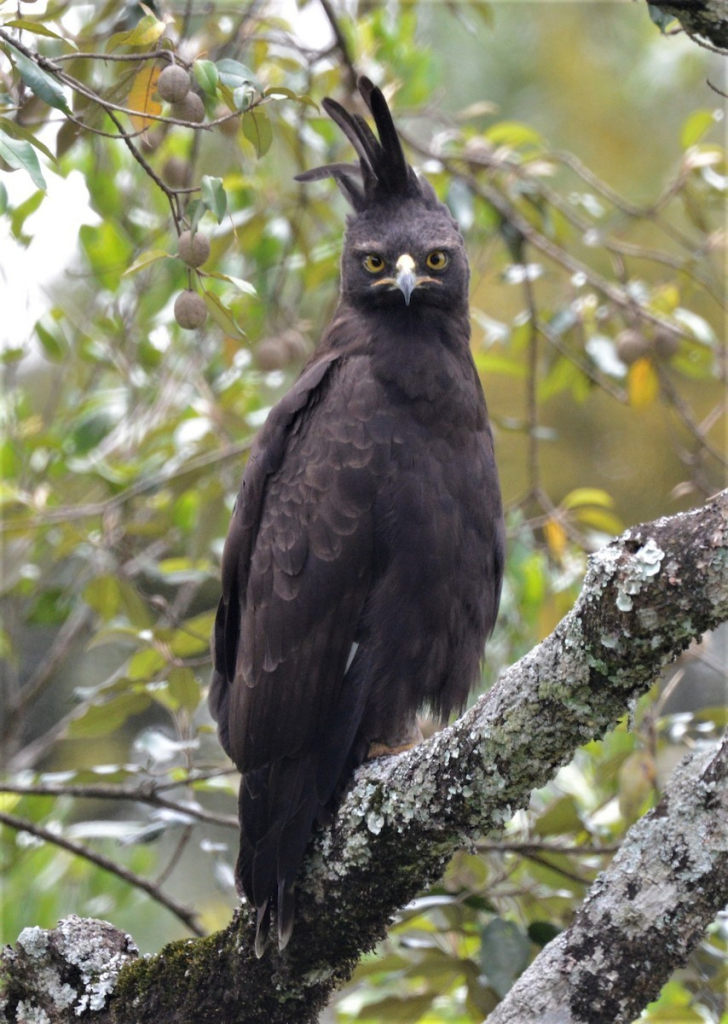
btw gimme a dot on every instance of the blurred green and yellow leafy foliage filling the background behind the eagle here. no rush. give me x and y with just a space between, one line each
124 437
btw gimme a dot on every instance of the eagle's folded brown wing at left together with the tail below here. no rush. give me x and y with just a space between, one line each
288 692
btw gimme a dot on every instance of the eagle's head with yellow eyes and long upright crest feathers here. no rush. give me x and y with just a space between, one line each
403 246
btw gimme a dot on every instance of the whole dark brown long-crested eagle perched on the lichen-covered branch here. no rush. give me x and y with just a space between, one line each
362 572
